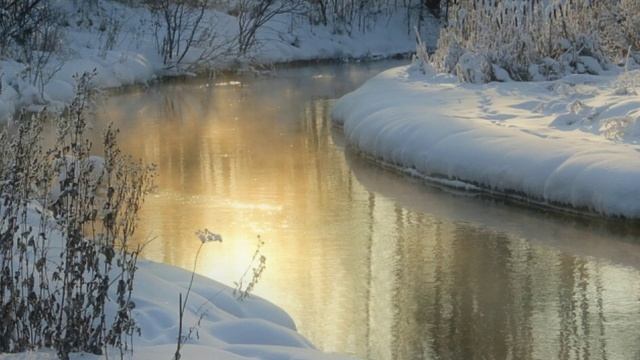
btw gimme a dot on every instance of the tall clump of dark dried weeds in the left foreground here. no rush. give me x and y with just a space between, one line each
66 218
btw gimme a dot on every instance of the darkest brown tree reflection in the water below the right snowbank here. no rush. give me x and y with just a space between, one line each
478 312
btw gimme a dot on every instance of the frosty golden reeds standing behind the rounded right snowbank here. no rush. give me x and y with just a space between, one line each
487 40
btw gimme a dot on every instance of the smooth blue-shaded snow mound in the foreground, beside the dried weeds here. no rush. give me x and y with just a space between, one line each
226 328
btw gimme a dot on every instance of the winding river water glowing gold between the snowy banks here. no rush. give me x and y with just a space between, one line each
366 261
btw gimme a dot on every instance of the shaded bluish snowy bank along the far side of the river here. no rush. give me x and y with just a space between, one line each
127 53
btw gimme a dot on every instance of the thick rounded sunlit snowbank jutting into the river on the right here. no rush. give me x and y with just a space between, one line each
568 143
